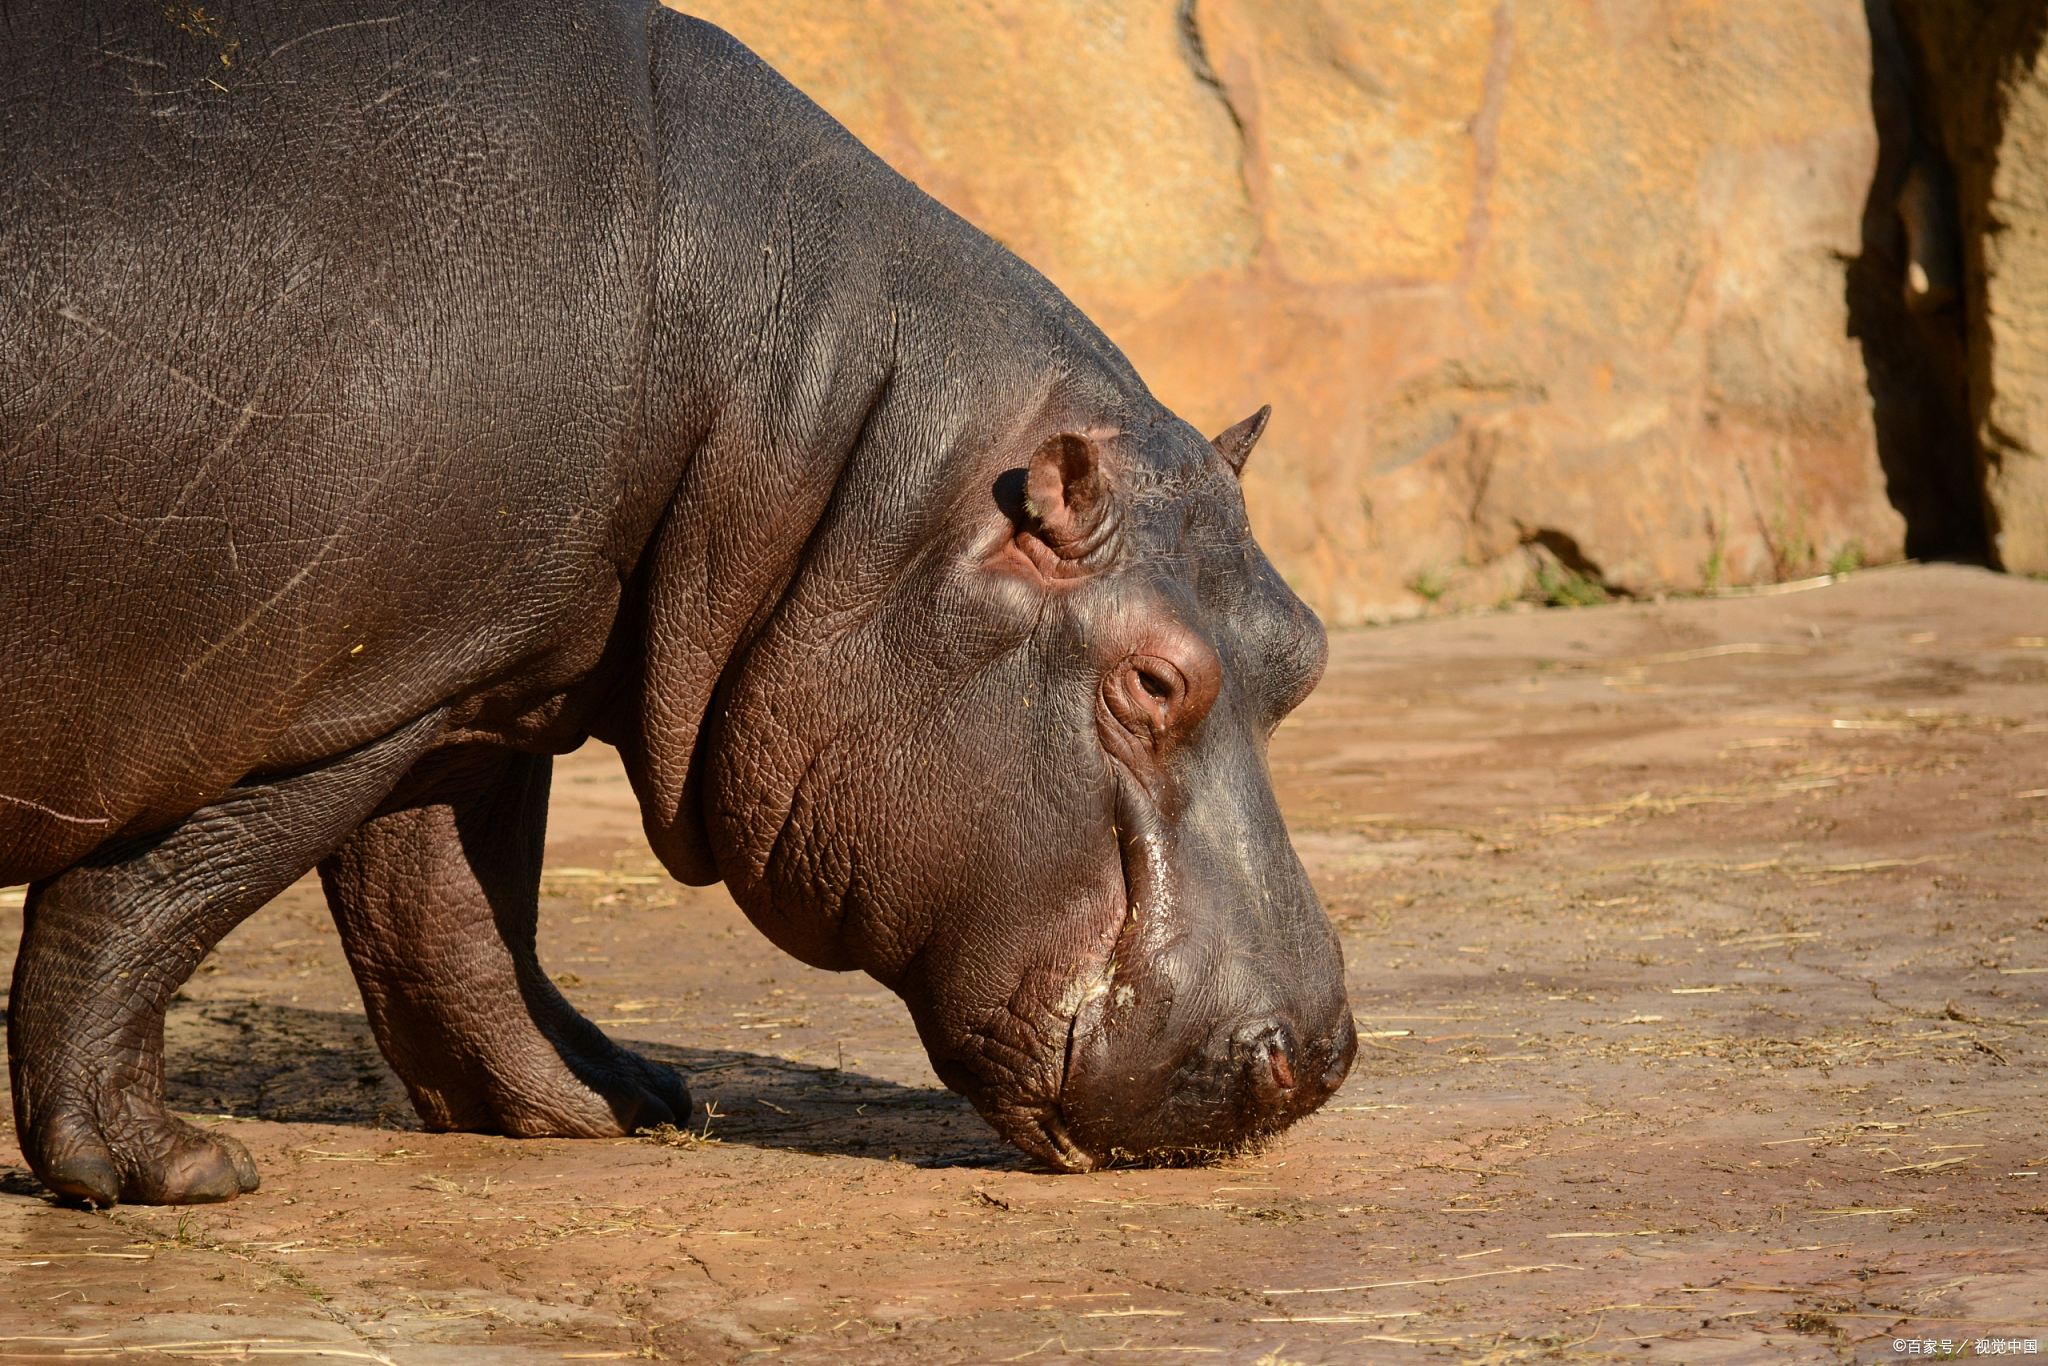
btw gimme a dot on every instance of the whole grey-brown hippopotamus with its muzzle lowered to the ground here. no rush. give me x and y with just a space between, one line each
394 398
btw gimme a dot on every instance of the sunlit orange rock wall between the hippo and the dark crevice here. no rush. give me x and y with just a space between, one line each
1539 290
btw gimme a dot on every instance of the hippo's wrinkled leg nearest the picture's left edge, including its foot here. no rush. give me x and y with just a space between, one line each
112 939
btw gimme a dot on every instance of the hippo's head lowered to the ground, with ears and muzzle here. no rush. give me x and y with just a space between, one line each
1007 753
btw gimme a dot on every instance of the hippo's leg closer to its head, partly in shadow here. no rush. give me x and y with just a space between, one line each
437 902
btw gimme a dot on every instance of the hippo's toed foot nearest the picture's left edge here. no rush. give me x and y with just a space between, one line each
155 1160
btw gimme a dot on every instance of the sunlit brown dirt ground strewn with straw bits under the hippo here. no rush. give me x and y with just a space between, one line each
1699 953
